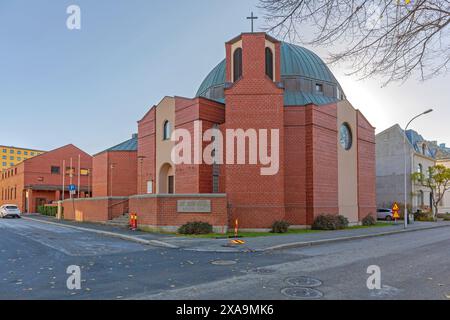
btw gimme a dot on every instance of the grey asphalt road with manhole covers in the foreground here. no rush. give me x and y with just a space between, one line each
34 258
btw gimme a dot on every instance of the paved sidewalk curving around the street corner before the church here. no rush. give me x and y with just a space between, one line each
258 244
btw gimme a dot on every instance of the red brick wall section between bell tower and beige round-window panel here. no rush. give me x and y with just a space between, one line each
311 176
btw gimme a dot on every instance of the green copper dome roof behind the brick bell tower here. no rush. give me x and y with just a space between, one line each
306 79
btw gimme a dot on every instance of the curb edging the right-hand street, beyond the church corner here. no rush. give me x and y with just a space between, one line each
334 240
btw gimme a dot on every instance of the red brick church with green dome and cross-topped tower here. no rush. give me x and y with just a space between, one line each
326 146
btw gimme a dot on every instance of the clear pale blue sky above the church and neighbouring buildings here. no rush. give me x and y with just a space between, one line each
89 87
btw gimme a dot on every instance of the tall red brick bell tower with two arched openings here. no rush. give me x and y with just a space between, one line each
254 102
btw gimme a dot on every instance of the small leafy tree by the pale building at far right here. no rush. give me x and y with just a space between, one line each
437 181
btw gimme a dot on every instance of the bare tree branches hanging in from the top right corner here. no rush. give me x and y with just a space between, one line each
389 38
